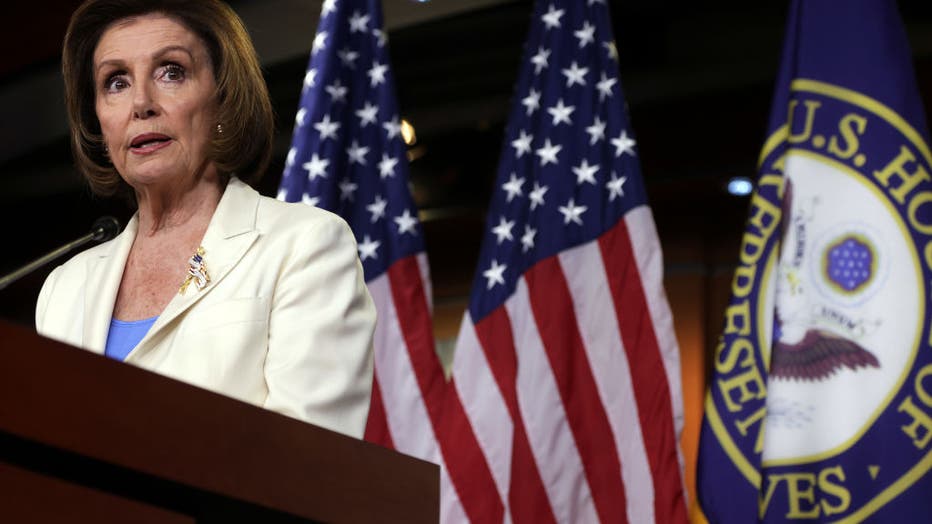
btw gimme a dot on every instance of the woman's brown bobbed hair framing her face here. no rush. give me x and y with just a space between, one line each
244 109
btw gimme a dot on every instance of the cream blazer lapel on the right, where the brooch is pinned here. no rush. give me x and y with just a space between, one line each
232 230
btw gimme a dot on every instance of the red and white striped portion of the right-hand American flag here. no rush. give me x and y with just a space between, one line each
562 382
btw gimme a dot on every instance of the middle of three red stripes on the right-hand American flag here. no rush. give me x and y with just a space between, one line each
553 311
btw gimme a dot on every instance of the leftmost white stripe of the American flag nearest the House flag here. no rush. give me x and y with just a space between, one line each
484 405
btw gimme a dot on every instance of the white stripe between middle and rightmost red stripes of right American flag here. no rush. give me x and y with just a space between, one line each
598 326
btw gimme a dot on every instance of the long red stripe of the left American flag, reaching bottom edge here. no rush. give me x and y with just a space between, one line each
461 453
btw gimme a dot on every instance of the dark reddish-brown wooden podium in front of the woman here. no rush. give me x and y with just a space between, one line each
87 439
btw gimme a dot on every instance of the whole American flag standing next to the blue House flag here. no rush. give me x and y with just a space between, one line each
566 362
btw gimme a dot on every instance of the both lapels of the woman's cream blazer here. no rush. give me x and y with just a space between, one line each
230 233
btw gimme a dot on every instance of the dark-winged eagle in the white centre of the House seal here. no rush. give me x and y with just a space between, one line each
801 351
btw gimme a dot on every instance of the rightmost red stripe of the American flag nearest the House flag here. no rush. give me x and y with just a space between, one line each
649 378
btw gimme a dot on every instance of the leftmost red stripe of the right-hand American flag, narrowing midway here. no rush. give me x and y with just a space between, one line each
527 497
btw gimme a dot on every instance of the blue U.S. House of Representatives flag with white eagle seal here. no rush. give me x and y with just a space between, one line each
820 408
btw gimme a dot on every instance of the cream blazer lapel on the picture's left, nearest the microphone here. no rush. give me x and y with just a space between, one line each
104 274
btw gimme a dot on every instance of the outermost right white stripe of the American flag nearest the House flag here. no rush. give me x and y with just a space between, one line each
649 257
